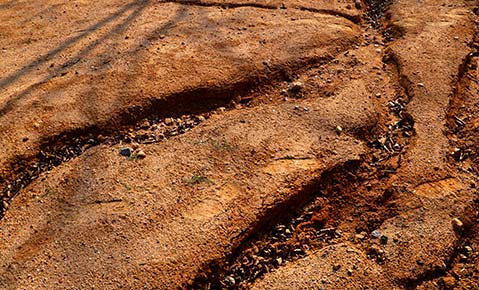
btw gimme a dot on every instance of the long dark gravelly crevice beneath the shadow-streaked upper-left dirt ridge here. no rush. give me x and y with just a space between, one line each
57 149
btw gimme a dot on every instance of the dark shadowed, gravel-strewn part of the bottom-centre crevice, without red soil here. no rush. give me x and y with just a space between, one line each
297 214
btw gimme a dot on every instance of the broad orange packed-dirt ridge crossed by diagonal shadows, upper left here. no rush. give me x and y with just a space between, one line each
132 68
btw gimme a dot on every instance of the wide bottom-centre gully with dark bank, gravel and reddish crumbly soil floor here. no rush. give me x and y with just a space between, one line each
282 235
